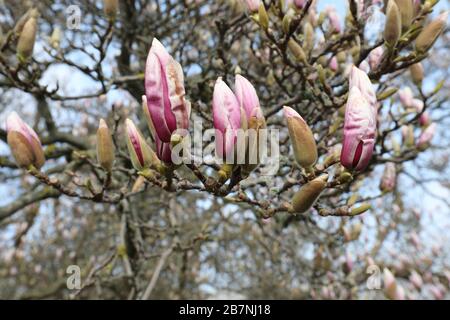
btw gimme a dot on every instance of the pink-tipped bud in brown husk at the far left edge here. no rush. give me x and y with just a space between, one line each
24 142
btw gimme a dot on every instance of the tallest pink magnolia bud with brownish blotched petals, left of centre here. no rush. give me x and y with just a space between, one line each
164 89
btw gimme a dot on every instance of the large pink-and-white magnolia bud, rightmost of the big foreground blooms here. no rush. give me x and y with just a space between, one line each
359 132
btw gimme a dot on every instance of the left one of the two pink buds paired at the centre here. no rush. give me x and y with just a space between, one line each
226 118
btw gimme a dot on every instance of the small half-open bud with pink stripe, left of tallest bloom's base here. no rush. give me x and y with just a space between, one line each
142 156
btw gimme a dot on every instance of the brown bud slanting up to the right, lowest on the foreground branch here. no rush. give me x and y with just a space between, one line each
308 194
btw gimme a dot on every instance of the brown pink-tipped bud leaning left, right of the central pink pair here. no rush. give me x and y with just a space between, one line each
302 139
